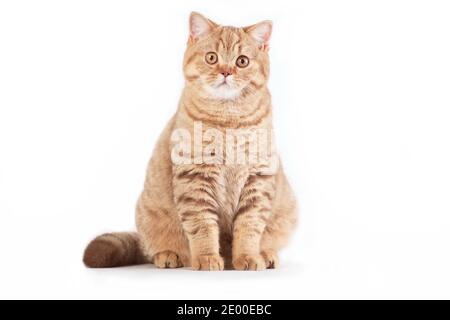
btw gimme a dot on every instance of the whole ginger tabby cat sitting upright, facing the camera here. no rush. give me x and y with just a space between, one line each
211 216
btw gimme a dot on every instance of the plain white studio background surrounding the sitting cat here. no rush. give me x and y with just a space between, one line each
361 102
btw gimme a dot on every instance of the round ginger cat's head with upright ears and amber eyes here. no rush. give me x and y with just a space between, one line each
226 62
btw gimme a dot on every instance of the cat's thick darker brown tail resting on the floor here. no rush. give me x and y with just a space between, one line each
114 250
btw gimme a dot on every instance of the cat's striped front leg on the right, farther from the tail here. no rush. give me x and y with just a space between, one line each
250 221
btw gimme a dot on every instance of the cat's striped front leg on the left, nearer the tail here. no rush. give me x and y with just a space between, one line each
195 197
